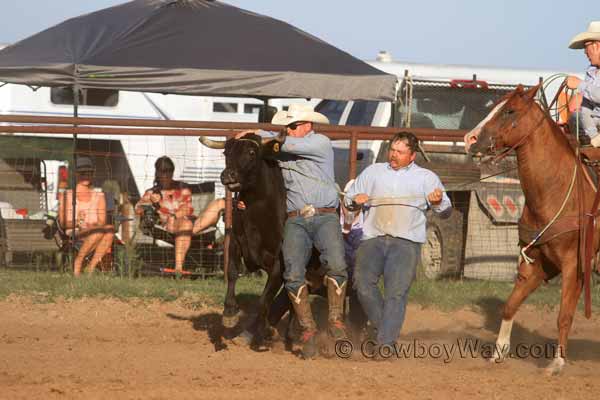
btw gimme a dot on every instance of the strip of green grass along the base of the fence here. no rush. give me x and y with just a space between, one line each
47 286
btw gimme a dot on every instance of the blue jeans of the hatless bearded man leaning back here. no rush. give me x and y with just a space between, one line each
396 259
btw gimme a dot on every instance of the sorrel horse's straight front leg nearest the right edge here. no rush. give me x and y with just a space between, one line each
570 292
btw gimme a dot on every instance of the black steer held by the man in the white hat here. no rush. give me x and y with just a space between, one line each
257 232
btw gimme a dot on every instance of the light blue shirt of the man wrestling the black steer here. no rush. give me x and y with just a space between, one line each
307 167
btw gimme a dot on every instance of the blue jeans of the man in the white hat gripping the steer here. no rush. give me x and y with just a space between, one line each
300 234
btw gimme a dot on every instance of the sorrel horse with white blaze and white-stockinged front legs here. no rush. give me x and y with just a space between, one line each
557 199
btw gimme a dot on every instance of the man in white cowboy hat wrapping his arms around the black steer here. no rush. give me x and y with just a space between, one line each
306 161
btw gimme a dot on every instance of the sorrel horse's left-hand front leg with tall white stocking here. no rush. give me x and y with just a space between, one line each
529 278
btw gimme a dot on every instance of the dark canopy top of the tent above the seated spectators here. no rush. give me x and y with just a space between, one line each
194 47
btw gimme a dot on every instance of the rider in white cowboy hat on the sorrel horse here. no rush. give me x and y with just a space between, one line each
587 99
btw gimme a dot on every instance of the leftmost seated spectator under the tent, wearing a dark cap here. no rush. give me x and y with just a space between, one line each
91 229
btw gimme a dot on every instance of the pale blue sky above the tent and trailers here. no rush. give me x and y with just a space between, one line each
502 33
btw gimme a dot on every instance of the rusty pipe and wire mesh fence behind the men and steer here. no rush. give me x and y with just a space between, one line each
35 151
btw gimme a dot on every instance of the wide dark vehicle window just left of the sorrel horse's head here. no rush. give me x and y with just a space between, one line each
447 107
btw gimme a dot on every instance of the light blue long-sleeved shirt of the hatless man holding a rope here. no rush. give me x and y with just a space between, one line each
398 200
